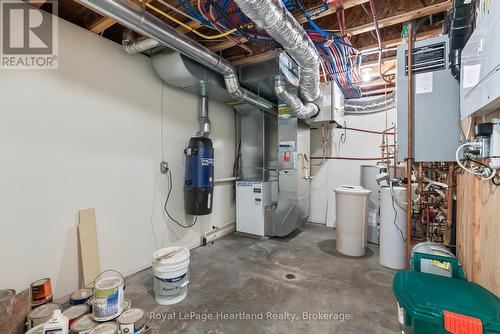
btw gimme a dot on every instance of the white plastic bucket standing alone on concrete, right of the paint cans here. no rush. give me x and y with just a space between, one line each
171 275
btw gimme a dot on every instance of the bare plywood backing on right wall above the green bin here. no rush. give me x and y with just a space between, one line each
478 226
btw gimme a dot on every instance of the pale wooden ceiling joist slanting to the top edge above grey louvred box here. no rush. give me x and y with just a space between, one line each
401 18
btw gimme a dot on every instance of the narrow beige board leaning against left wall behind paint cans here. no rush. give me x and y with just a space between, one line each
89 251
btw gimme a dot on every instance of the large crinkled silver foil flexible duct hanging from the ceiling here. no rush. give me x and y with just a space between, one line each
276 20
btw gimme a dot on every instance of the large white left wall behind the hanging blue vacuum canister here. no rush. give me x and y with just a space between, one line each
88 135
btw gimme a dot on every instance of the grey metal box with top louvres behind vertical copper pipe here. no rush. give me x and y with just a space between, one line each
436 98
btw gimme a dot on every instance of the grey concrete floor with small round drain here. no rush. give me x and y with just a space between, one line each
241 274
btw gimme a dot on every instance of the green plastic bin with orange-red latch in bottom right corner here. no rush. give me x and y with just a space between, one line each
431 300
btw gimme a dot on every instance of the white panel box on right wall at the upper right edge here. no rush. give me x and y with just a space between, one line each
480 66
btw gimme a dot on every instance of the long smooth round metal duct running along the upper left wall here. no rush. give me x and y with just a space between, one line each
134 17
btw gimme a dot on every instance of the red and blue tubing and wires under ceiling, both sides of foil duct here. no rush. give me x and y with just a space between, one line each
339 59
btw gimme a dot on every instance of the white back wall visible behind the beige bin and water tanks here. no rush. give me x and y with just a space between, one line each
333 173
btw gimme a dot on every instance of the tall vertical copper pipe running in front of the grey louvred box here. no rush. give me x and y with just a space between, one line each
409 161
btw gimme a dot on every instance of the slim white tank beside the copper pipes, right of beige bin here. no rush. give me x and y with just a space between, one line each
392 253
